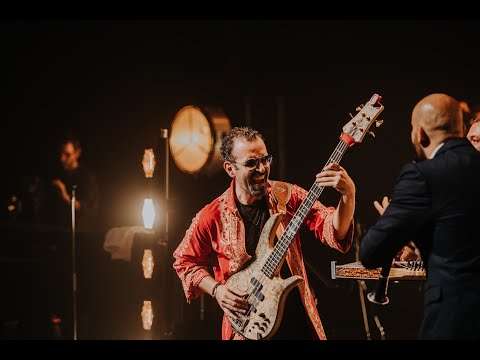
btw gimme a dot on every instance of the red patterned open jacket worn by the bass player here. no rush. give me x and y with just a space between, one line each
216 237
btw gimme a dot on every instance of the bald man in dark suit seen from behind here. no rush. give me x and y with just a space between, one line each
433 204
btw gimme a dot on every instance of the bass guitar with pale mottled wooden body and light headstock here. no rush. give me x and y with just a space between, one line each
266 290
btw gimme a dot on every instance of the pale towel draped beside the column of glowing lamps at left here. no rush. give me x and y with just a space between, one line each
119 241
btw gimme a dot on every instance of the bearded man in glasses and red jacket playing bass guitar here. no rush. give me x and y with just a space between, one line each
224 234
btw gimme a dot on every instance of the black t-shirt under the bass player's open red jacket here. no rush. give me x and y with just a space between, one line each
295 323
